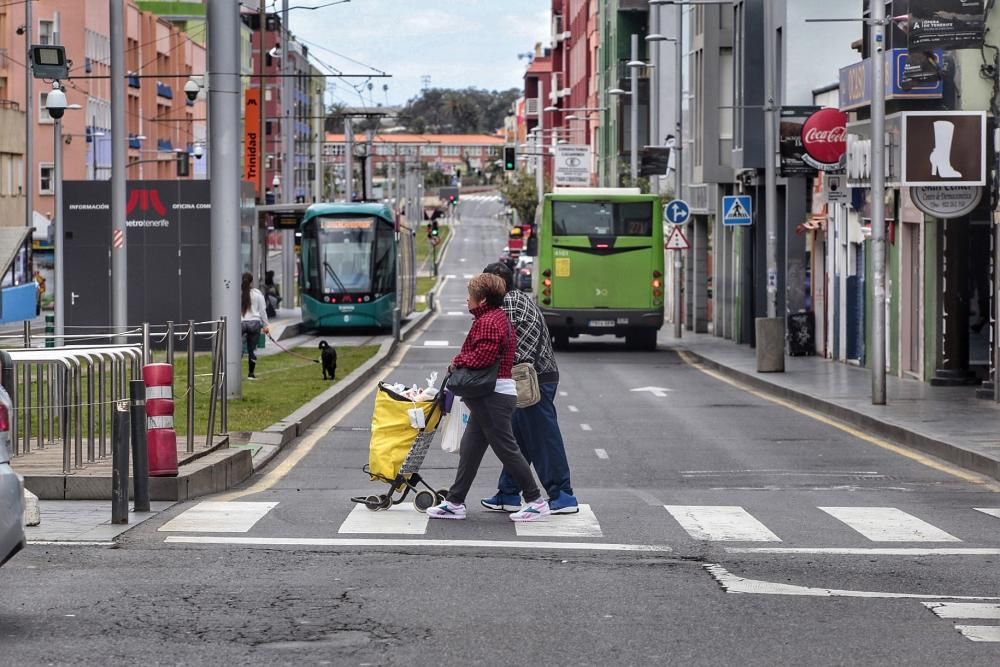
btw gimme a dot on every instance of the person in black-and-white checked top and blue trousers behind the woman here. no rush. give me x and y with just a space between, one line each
536 427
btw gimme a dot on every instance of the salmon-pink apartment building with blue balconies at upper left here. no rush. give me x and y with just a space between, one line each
159 119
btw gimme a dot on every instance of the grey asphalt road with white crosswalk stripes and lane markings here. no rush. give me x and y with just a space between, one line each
686 482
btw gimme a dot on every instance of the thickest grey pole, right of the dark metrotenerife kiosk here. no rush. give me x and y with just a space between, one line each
225 121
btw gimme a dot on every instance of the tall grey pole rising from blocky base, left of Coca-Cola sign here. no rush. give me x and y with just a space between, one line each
770 330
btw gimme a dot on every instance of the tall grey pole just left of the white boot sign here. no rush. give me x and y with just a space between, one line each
877 34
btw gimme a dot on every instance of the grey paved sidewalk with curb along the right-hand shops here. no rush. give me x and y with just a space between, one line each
947 422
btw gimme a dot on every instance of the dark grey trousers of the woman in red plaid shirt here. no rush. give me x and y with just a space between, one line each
490 426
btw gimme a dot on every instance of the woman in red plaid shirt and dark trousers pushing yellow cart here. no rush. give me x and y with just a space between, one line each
490 338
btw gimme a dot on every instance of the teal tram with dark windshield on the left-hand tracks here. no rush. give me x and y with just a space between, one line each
357 264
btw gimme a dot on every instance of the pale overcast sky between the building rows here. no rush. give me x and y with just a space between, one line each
457 43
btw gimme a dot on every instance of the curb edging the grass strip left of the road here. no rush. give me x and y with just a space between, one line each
277 436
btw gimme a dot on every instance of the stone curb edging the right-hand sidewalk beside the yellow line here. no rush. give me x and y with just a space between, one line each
907 437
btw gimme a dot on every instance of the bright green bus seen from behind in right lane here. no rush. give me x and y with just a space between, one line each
600 264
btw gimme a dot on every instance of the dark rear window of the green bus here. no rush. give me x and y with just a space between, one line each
571 218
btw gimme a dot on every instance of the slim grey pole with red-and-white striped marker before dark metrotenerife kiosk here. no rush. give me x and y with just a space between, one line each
119 233
